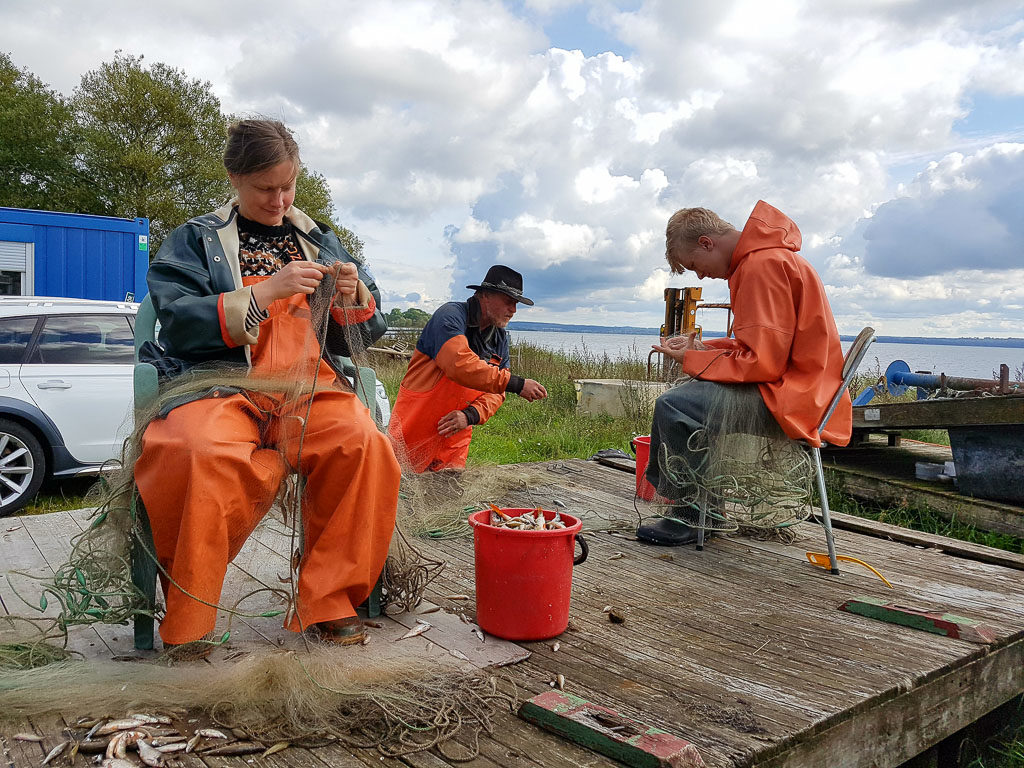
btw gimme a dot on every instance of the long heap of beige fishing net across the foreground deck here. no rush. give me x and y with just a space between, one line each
398 706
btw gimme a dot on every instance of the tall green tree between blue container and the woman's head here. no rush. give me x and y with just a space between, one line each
152 143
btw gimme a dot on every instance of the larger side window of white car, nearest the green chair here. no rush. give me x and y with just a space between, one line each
86 339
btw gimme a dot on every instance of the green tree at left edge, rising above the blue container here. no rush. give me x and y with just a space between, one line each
38 135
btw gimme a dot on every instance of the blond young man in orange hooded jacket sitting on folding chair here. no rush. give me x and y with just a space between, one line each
785 344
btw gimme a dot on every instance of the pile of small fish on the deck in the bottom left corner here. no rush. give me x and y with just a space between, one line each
156 739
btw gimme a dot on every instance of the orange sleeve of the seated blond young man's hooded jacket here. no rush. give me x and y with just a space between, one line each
766 319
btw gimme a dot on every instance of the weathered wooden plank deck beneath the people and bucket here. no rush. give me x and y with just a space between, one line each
741 650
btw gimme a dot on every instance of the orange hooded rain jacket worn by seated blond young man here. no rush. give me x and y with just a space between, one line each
785 336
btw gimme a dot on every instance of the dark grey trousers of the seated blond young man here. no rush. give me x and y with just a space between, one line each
678 414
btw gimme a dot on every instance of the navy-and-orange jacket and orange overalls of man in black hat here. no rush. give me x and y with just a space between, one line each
457 366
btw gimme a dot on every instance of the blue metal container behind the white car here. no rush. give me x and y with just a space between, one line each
45 253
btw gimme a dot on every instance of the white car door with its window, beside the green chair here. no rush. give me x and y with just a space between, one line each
80 375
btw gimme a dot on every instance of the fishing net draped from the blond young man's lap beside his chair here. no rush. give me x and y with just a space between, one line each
741 467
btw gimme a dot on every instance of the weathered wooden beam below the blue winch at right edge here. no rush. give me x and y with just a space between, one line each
940 414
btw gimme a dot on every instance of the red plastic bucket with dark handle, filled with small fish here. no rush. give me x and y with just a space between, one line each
525 578
